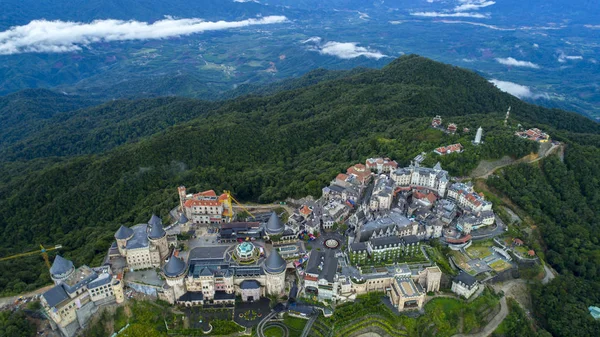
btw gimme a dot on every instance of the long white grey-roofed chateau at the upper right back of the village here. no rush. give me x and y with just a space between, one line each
421 178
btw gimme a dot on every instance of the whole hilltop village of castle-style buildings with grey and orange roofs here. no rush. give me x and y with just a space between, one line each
370 231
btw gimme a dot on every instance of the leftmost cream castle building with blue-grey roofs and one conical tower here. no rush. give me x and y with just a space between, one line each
77 294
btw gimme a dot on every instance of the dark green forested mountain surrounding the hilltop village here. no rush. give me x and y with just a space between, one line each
290 143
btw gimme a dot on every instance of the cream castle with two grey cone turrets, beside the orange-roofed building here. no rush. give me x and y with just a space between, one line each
143 245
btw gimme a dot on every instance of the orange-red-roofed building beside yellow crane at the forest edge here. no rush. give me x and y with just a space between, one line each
204 207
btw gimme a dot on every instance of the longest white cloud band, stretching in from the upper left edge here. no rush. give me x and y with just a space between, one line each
42 36
